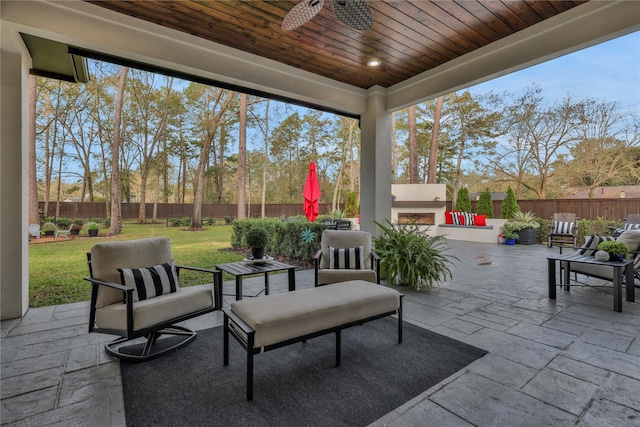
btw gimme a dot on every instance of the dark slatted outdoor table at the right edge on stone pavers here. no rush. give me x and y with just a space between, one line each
618 267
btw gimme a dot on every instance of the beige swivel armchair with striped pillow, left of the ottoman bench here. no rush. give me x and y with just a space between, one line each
135 294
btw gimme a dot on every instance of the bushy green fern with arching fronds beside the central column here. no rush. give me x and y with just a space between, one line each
412 257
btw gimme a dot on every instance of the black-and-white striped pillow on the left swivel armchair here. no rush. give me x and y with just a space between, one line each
150 282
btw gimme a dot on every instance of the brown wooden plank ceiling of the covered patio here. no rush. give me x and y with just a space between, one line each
409 37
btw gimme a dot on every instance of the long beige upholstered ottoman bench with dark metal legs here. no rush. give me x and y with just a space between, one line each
273 321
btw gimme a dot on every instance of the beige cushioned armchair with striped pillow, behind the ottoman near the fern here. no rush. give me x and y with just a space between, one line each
346 255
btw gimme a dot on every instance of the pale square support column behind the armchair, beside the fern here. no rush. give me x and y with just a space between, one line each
375 162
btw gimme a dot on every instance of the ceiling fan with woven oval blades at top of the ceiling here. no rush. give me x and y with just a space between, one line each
352 13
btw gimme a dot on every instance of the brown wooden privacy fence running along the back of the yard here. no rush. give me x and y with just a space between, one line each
609 209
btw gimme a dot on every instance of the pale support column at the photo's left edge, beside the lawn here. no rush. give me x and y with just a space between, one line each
14 245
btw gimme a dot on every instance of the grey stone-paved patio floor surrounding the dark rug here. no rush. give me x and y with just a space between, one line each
569 361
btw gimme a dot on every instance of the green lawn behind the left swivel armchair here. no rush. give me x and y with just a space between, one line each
57 269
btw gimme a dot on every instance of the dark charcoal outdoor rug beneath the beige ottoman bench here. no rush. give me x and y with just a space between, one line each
296 385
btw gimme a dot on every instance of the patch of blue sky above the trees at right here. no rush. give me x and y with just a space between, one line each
608 72
